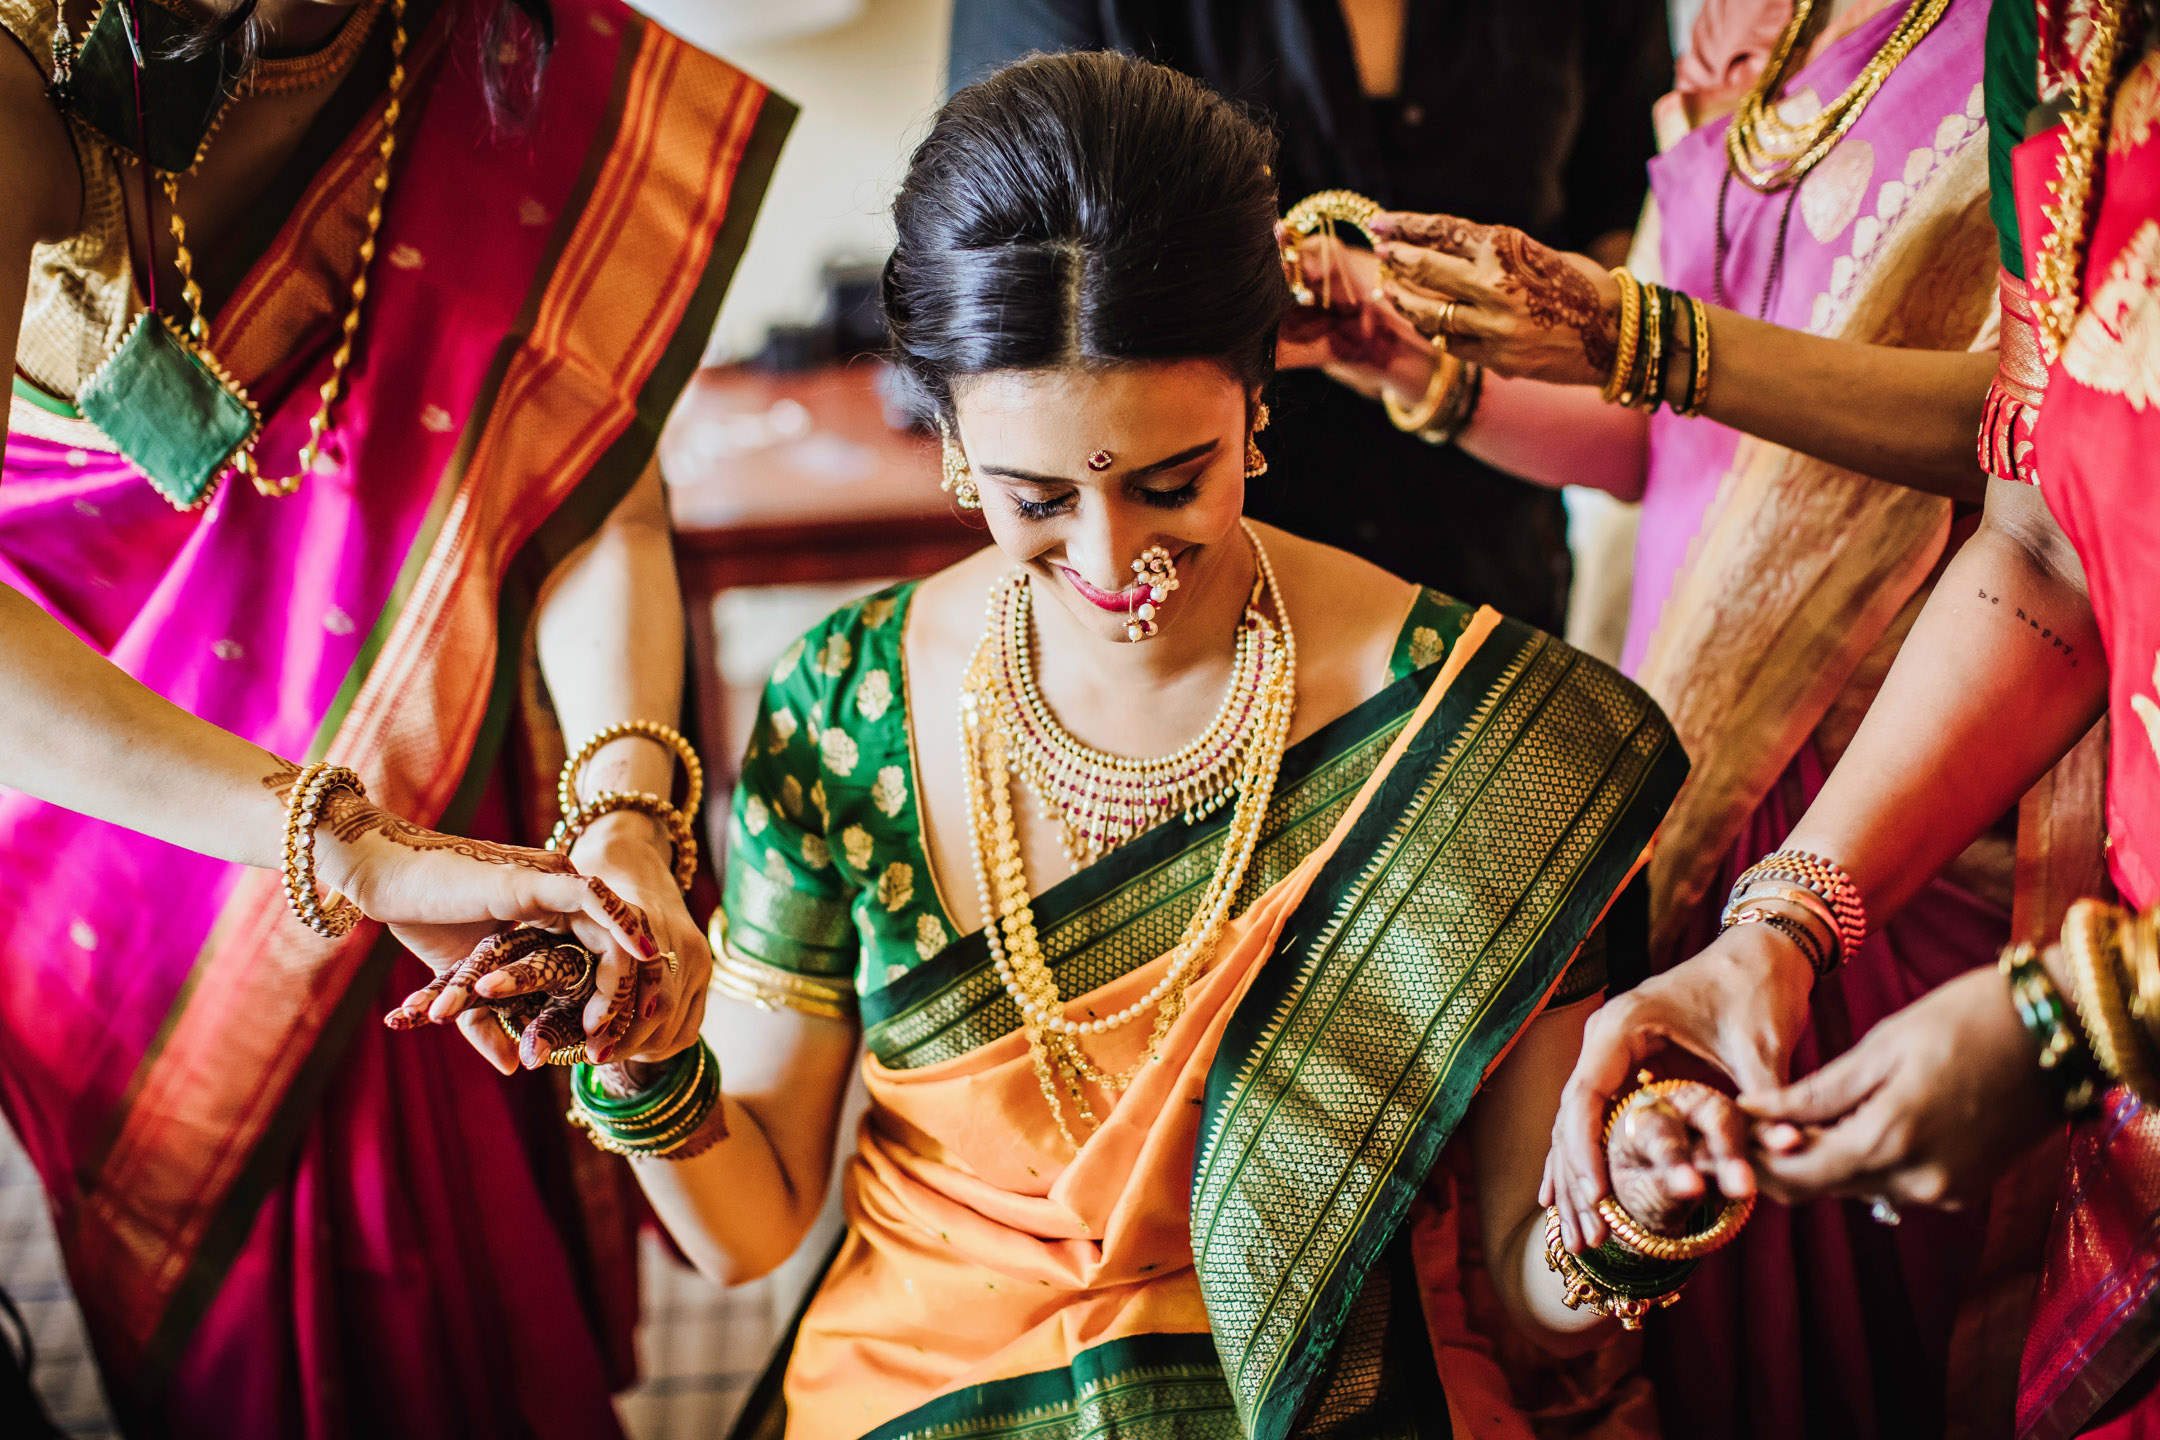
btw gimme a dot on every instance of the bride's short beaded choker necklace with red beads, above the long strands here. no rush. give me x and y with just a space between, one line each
1103 800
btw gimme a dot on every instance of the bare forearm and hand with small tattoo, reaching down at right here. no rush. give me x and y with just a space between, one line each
1997 681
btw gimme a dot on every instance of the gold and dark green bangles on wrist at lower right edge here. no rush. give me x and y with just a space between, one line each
2107 1031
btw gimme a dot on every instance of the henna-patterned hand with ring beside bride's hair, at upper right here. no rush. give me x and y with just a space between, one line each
1517 308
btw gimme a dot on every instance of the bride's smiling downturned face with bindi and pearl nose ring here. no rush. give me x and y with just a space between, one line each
1083 470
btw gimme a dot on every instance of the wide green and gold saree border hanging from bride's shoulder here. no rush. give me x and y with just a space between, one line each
1425 947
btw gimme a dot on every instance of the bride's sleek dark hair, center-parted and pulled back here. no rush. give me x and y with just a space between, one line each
1085 208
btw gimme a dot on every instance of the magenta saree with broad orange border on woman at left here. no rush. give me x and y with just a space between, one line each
280 1223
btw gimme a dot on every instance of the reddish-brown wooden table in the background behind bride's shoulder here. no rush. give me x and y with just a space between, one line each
796 480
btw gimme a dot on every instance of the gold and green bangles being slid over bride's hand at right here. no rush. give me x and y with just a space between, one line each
1638 1271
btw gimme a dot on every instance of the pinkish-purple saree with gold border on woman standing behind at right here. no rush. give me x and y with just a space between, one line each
1770 599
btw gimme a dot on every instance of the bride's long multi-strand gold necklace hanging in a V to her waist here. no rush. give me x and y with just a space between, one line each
1003 882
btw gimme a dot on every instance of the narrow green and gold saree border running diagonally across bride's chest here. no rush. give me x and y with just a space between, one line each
1131 906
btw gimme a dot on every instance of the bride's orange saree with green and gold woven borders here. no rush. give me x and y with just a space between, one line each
1226 1255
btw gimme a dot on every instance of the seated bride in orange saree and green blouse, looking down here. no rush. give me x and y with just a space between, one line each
1293 865
